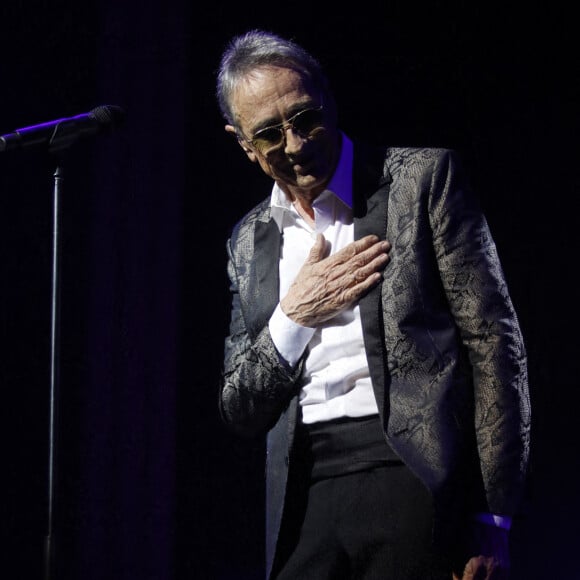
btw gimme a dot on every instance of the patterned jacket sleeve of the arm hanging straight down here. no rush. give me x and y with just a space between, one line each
477 292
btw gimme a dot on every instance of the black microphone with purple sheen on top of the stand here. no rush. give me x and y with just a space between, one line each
61 133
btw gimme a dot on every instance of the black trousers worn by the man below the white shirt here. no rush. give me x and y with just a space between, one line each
354 512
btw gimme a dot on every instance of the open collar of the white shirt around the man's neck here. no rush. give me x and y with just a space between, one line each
339 185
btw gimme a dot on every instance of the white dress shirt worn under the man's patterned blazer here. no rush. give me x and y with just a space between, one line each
336 374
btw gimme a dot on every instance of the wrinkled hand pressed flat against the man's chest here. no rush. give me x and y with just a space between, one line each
326 285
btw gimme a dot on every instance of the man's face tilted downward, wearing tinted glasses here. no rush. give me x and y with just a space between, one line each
304 160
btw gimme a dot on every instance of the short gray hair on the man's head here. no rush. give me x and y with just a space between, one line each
258 48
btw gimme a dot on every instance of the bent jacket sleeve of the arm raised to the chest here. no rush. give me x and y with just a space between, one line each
257 385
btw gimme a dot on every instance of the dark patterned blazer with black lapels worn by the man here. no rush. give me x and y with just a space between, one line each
444 346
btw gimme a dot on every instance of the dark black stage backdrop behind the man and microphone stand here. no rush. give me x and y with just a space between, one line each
148 484
